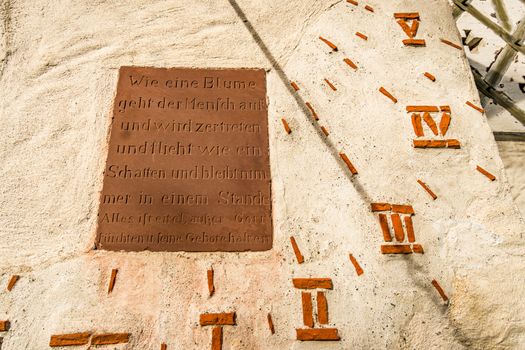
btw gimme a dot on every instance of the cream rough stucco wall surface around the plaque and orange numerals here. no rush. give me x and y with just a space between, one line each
59 71
